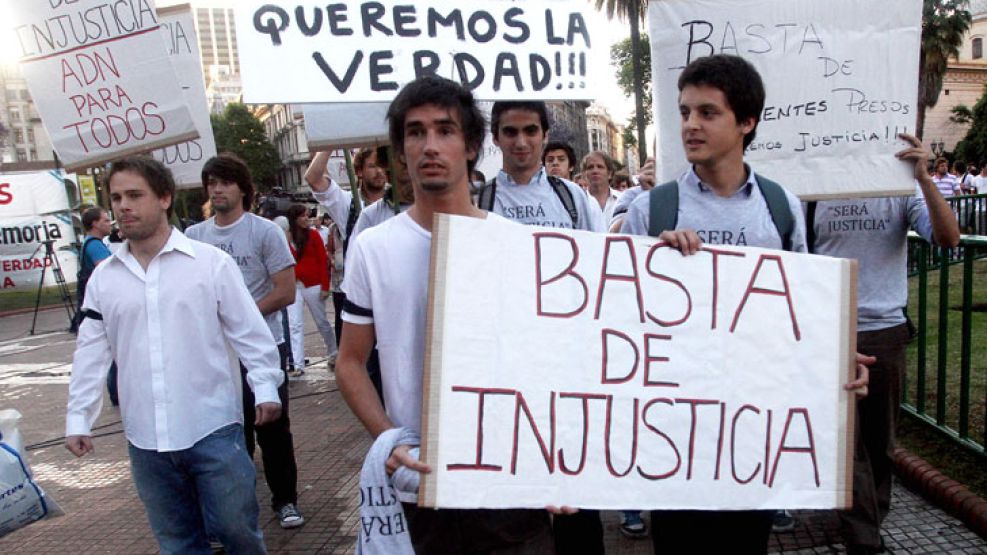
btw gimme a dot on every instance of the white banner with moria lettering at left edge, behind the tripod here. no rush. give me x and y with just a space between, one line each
34 208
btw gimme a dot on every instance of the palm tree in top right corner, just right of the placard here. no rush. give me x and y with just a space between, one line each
944 24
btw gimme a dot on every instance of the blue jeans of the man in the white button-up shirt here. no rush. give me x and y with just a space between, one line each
211 484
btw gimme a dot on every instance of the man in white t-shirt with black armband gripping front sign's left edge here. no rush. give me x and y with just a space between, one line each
437 128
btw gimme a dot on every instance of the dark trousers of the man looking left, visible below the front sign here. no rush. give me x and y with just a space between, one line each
734 532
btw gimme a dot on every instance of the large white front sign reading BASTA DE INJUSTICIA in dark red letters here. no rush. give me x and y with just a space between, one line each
609 371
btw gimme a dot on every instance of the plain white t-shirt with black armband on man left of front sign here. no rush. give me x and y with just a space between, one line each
386 285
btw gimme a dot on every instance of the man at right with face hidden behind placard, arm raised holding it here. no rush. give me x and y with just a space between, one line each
874 231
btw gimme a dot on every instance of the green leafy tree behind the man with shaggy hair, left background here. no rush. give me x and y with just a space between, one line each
238 131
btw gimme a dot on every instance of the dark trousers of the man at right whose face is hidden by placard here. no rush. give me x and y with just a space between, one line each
877 417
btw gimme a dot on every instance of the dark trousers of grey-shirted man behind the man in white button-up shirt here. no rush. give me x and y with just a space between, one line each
277 448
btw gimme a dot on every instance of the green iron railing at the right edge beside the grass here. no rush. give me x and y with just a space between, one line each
958 406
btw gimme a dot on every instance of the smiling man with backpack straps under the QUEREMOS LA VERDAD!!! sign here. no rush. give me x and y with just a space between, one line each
523 191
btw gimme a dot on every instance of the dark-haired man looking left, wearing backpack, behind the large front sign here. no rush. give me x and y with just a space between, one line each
719 200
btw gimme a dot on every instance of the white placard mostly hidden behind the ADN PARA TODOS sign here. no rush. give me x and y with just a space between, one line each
186 159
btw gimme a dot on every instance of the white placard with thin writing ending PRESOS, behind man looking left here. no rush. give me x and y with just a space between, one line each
841 78
